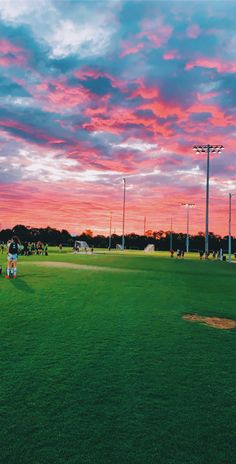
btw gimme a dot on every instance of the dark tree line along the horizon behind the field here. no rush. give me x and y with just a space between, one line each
161 239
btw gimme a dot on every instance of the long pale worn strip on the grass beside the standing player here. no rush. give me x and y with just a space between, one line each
60 264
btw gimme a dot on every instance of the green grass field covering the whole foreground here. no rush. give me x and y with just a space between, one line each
98 366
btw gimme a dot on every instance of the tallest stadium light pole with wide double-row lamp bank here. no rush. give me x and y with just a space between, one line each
207 149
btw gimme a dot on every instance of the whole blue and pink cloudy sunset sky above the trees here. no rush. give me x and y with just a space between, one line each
92 92
